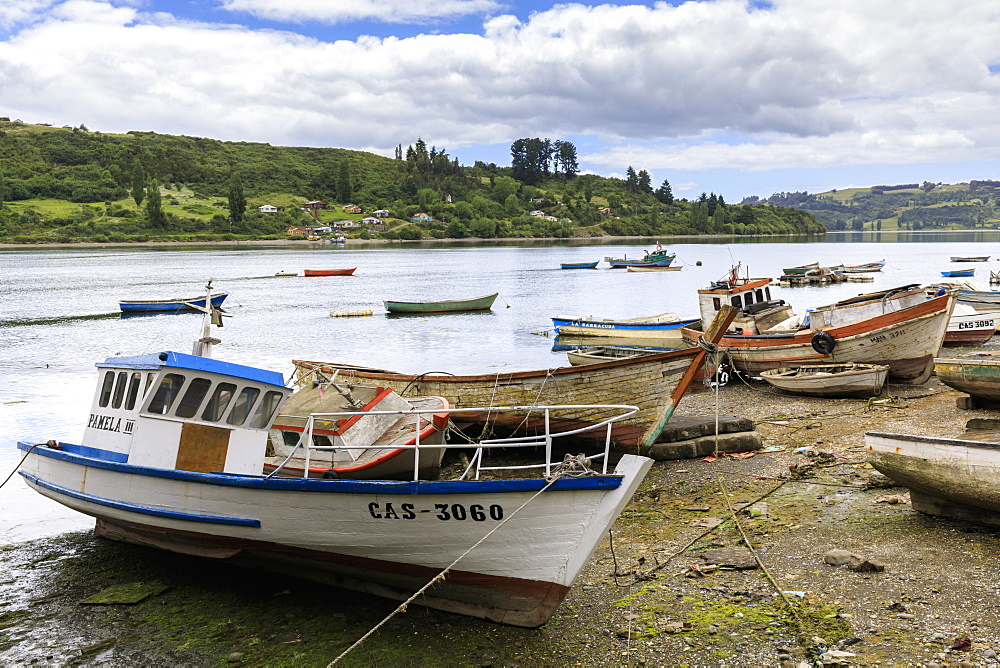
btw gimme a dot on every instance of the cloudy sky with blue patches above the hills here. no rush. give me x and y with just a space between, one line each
727 96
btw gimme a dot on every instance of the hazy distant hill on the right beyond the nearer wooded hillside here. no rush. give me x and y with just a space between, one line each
910 206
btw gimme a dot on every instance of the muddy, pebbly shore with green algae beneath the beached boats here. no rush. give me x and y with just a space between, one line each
658 594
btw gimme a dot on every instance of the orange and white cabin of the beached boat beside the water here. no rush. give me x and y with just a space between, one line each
752 296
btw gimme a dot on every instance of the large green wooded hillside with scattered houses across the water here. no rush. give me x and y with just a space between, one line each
71 184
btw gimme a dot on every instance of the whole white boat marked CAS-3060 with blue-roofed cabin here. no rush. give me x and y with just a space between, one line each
180 467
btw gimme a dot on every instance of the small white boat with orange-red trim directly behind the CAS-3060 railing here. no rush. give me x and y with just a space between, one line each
365 433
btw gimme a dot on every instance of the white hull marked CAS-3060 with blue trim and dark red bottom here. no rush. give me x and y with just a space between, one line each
385 538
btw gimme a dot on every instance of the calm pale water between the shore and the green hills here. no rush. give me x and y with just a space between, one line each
59 313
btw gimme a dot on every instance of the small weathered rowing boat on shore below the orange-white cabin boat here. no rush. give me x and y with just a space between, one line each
829 380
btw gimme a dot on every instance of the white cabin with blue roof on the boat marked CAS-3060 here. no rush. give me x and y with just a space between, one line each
175 411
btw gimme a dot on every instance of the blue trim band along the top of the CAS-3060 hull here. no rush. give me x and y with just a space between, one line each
72 454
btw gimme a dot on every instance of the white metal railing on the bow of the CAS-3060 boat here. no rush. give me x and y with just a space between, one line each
306 444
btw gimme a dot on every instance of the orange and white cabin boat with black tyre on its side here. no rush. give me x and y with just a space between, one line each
899 328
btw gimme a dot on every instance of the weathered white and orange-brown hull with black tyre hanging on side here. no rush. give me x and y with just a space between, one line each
905 340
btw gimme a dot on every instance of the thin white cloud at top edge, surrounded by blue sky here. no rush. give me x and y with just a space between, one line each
392 11
